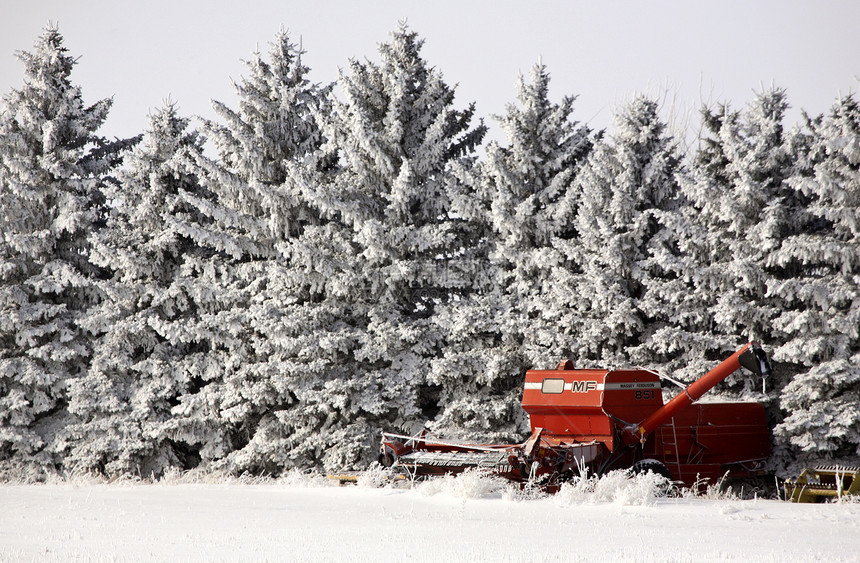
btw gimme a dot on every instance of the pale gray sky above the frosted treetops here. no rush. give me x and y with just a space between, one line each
599 50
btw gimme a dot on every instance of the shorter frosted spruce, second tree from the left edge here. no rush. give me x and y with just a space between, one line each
143 358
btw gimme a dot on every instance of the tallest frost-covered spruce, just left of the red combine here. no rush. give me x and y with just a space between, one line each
397 135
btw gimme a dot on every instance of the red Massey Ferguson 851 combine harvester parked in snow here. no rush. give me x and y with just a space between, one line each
598 420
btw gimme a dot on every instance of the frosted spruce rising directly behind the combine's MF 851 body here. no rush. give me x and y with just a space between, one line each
625 185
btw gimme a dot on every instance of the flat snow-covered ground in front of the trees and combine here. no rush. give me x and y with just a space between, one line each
466 519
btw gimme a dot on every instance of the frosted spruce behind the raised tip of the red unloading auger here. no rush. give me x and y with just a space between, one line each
740 210
